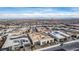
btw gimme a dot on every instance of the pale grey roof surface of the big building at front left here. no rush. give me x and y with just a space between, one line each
10 40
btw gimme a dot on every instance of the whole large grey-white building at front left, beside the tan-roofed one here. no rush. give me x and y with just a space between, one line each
16 41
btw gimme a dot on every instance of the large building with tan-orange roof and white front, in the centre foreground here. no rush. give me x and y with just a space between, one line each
40 38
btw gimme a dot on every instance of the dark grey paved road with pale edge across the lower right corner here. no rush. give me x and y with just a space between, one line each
69 46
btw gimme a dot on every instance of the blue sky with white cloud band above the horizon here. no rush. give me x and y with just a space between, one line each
38 12
